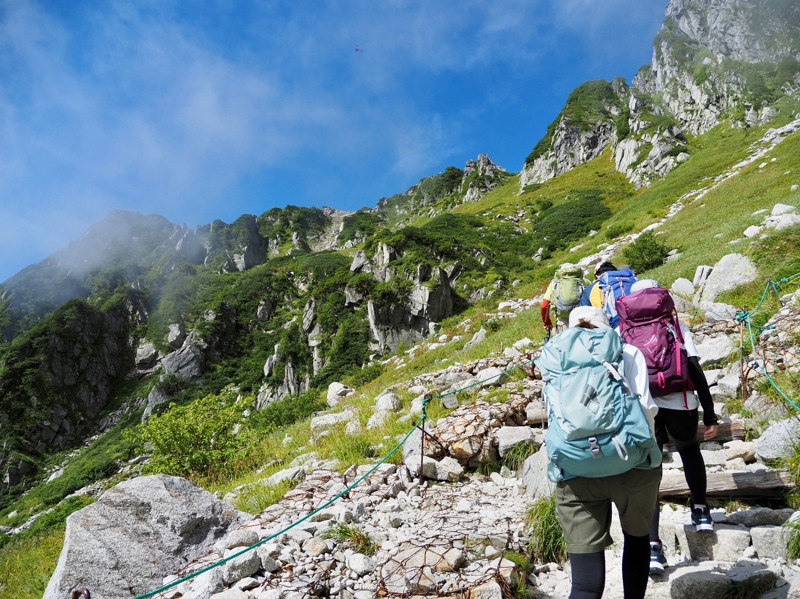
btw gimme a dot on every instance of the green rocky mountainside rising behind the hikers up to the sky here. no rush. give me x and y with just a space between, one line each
280 305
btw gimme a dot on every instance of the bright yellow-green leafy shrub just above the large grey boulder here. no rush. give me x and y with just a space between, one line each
194 438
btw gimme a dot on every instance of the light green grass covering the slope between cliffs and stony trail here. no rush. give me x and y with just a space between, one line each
703 231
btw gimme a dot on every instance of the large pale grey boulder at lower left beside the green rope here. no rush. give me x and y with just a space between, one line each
136 534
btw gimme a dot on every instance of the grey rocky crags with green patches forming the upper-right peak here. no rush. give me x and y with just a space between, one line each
712 60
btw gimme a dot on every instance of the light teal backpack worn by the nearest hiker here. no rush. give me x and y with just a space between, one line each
596 426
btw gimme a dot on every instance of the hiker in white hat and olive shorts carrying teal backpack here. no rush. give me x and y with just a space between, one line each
601 449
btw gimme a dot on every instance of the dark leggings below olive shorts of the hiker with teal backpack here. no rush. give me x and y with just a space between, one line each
589 570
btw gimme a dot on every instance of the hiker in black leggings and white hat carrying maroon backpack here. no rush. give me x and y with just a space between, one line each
648 319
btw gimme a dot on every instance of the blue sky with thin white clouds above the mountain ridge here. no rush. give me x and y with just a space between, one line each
209 109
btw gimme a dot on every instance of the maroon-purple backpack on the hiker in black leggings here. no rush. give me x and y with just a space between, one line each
649 321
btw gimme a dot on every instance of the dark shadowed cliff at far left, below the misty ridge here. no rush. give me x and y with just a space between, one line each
77 365
